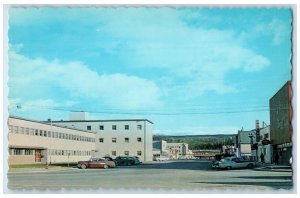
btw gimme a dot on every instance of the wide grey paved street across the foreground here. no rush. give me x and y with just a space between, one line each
190 176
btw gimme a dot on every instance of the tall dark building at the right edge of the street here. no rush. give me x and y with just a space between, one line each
281 129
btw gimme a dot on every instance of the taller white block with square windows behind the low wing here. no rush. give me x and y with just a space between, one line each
117 137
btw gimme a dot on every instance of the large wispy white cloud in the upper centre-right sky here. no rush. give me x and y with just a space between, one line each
197 54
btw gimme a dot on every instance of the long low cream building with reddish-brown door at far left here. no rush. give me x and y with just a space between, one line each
37 142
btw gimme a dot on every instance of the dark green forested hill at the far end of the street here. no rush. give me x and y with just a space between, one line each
199 141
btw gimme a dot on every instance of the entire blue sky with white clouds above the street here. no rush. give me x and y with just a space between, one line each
189 70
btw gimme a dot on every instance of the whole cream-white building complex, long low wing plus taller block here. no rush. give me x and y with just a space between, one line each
71 141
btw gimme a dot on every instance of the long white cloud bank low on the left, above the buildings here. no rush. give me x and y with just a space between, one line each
28 77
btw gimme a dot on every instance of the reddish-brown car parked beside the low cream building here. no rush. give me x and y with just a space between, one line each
96 163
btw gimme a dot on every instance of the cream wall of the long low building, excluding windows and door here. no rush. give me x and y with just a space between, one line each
51 144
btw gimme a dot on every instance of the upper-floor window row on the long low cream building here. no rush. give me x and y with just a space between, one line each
51 134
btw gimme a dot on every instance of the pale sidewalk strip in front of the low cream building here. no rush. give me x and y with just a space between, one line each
40 170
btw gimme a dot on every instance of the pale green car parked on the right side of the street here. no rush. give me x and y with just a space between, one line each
233 162
